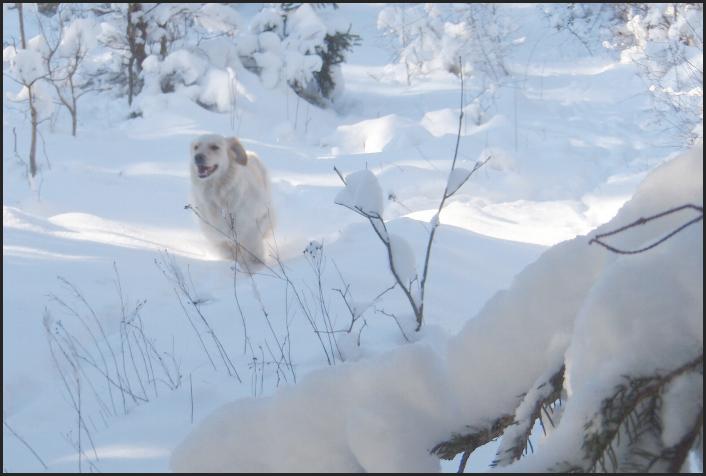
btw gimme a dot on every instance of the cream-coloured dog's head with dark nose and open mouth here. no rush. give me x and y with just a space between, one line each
211 153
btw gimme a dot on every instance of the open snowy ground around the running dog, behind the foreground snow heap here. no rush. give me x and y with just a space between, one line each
89 256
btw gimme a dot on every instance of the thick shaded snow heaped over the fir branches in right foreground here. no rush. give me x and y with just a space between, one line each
607 314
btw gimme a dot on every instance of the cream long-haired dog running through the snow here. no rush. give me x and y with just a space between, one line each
231 195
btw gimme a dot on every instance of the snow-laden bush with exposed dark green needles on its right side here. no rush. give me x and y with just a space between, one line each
292 45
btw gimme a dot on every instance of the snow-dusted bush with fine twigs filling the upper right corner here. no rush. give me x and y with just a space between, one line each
665 40
